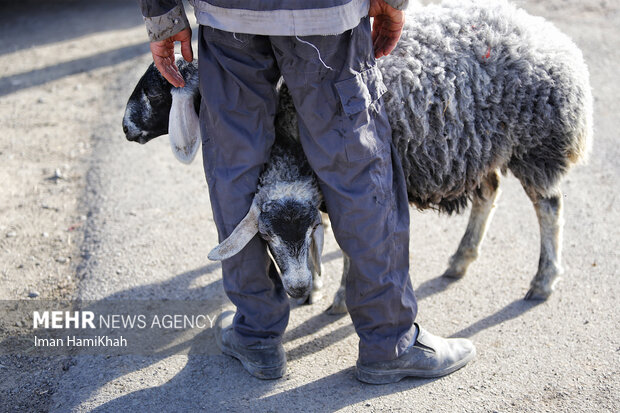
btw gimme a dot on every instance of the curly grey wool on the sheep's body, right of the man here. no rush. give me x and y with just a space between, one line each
476 86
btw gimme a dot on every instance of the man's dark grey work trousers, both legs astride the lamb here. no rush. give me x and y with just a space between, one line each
336 88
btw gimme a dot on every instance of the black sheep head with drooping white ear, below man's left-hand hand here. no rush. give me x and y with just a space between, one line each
156 108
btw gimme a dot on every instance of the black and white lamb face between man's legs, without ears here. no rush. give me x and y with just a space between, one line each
289 227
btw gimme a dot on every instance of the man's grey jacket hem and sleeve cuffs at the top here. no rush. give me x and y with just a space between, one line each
165 18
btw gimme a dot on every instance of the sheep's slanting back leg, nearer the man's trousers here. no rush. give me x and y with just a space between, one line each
481 212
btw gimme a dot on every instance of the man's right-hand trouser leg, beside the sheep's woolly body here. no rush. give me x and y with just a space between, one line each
347 139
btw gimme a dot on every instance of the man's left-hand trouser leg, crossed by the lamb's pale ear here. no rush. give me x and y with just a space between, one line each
237 82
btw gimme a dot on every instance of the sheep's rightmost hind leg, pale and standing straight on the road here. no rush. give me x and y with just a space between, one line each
549 213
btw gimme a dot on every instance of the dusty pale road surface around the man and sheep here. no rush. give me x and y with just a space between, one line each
86 215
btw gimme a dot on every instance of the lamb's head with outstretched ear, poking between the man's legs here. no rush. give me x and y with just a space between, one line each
293 231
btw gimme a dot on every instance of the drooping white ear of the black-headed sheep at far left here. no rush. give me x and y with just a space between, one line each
183 126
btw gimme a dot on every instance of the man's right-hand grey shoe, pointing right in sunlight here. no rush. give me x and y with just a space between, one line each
429 356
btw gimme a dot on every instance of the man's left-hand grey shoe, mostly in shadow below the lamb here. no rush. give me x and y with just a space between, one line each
264 362
